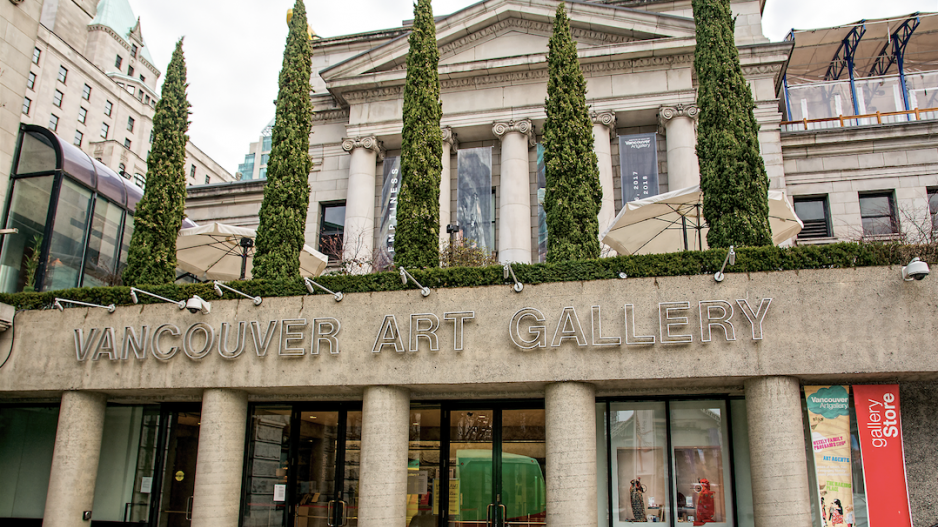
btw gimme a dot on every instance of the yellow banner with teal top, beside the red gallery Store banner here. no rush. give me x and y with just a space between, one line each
829 419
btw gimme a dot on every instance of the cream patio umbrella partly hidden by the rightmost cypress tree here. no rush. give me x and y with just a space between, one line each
674 222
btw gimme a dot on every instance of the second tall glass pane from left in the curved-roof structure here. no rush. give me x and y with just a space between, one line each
68 237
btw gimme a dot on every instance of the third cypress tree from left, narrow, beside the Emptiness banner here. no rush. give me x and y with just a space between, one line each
416 241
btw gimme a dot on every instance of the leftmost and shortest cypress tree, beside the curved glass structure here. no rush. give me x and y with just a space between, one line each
152 255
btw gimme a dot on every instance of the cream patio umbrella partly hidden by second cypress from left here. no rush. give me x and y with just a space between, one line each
224 252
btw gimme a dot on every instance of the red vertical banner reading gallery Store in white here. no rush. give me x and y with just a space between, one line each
880 429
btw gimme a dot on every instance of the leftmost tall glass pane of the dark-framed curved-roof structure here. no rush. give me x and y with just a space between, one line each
29 206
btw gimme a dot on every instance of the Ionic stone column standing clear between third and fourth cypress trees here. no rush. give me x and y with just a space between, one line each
514 201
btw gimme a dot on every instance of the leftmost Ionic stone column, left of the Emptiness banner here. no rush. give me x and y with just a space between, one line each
359 234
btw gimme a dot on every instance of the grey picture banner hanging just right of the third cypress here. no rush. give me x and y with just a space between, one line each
475 212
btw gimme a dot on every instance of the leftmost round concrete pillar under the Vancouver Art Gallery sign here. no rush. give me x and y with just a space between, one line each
75 459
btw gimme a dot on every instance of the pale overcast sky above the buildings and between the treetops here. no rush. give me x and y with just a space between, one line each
234 48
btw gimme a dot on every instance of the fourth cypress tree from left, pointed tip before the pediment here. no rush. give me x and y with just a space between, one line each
573 194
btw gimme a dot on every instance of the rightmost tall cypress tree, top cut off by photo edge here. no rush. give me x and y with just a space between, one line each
732 173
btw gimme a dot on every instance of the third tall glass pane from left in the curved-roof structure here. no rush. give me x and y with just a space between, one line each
101 256
